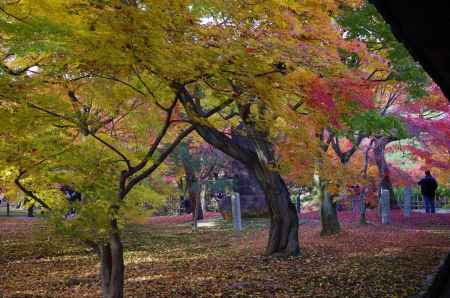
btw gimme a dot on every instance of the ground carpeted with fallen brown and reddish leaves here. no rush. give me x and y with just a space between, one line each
164 258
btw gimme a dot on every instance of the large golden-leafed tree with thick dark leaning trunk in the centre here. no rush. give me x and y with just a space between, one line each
228 53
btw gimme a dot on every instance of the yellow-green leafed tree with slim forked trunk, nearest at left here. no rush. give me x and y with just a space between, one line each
109 141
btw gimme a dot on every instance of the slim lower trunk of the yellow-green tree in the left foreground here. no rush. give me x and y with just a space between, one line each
112 266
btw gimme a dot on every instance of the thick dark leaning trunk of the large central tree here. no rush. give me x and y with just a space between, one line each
258 157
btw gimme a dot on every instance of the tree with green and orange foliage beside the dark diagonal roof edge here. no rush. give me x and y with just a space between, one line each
401 80
